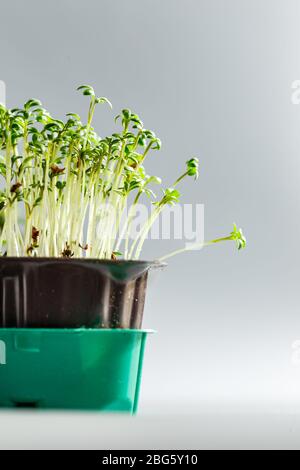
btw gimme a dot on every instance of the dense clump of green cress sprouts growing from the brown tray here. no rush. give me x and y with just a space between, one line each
65 177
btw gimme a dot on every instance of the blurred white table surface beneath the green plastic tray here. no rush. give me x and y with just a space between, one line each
202 427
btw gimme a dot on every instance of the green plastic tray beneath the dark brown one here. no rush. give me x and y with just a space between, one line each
84 369
